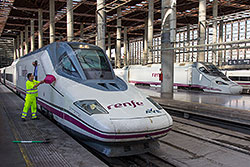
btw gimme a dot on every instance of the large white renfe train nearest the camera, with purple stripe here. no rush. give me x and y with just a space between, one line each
89 100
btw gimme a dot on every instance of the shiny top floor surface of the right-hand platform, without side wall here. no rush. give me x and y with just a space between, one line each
232 101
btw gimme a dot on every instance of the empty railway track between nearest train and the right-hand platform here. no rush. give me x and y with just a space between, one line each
226 134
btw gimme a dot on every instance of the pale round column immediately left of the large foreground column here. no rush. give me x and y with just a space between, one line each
150 30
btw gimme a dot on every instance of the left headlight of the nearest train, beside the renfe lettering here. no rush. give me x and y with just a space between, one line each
90 107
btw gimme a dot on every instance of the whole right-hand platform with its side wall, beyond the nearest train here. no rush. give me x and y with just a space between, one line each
233 108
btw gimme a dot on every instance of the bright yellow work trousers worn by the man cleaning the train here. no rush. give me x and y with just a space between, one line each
30 101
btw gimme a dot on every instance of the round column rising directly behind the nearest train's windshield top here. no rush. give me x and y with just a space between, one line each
101 24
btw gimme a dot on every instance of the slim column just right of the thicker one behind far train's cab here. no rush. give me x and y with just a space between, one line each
215 15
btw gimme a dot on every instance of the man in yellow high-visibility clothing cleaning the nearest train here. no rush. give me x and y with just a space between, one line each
30 99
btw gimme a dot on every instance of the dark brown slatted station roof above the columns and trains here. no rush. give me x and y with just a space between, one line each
16 14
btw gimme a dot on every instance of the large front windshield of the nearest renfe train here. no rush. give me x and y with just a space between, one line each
94 64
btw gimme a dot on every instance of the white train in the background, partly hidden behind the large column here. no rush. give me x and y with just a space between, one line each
199 76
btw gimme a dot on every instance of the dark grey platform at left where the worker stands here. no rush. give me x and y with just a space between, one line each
62 150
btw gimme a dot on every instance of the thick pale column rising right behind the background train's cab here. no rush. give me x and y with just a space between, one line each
202 29
